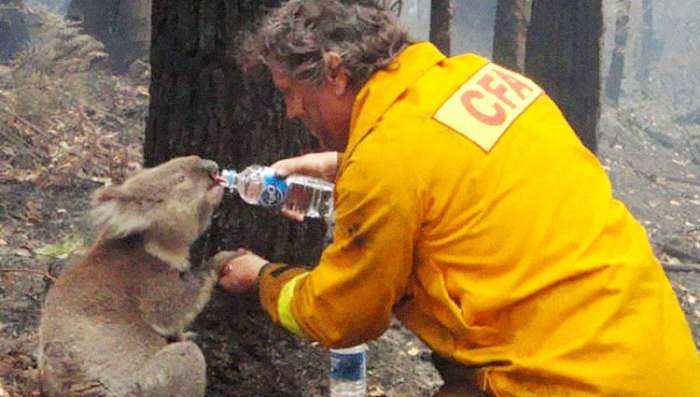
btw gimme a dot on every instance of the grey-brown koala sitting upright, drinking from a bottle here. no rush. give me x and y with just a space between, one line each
108 322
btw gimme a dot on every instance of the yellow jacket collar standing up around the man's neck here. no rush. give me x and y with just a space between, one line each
385 85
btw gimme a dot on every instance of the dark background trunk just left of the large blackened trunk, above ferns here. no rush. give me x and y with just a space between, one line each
123 26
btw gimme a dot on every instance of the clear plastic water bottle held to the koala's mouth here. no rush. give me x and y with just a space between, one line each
299 194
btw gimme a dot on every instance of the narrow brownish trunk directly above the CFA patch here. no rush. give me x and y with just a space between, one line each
510 33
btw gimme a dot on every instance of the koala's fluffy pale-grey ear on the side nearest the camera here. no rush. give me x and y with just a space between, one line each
112 213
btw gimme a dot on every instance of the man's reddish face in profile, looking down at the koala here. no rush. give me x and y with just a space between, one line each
324 108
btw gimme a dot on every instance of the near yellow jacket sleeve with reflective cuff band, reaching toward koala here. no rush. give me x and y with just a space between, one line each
348 297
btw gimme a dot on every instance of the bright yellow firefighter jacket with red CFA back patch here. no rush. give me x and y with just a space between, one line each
468 207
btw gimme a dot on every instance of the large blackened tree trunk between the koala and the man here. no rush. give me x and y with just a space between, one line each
201 104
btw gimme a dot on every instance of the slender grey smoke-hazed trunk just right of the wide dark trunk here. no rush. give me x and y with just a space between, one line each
617 64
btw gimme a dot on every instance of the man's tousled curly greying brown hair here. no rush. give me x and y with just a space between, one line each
300 34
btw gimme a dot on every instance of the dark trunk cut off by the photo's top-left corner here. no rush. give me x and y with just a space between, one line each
14 33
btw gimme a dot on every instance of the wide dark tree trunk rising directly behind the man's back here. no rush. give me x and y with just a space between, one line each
563 56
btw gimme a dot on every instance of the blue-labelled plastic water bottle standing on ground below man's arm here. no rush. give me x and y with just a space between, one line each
348 376
